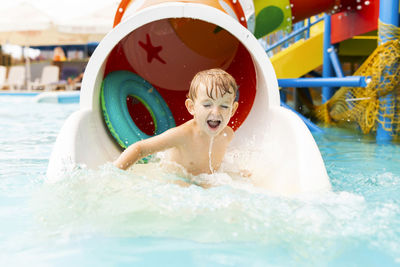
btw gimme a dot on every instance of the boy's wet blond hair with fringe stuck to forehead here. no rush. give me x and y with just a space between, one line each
215 80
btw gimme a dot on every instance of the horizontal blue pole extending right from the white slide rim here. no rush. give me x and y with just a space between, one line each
350 81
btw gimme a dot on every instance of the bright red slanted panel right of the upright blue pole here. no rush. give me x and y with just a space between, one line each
347 24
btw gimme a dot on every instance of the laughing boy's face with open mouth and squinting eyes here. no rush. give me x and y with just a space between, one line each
211 115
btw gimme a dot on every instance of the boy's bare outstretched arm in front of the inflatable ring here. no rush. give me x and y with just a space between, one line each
149 146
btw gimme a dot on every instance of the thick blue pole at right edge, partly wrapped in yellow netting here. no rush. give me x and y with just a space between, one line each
388 14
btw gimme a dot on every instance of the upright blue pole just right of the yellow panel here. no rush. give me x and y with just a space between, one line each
327 69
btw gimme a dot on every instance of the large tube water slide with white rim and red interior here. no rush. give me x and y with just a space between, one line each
146 63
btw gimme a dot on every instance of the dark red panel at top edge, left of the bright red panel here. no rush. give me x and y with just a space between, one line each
302 9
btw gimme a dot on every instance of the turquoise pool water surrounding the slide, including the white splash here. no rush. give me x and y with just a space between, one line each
111 218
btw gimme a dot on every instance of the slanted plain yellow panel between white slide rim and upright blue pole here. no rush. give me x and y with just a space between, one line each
300 58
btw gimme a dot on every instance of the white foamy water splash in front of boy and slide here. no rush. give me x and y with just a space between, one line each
148 203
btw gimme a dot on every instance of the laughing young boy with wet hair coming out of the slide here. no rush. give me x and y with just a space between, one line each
199 145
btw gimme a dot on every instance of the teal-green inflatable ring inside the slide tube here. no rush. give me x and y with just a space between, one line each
116 87
